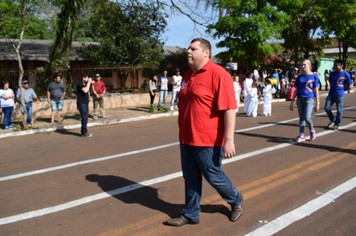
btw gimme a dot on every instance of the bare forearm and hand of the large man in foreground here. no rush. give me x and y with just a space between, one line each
229 145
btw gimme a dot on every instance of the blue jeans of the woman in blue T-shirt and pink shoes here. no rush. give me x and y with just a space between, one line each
305 108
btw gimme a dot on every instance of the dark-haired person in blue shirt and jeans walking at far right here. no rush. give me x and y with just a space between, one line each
340 82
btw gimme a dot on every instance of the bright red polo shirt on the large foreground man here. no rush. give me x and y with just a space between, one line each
203 98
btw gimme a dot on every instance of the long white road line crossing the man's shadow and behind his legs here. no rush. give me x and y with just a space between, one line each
82 201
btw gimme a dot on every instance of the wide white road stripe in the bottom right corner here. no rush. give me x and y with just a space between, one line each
304 210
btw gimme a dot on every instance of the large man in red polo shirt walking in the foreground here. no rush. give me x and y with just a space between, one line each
206 131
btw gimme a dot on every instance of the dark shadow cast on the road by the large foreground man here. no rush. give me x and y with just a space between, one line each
145 195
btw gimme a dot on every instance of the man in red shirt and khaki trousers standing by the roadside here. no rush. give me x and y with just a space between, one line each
99 91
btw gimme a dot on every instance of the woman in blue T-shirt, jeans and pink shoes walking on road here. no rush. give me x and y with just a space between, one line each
307 89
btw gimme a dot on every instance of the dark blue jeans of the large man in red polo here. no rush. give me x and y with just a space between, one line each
206 161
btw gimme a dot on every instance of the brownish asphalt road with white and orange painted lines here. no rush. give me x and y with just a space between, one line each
126 180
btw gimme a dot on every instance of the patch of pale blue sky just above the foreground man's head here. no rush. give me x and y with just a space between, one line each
180 31
